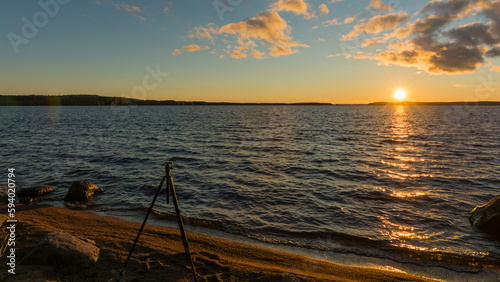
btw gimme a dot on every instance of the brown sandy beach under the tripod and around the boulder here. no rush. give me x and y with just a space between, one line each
159 255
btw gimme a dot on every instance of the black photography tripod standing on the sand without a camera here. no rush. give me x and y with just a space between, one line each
170 189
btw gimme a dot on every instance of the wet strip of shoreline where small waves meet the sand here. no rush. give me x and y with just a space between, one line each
438 265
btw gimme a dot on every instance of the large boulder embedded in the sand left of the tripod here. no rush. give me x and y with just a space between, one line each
69 253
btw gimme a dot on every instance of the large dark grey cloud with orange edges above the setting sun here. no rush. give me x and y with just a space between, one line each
430 47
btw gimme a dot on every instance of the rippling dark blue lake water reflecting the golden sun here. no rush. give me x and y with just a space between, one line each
380 181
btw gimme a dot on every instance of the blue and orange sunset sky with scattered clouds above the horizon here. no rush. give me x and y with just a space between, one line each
252 51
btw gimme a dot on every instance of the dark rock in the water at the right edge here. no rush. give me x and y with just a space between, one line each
487 216
